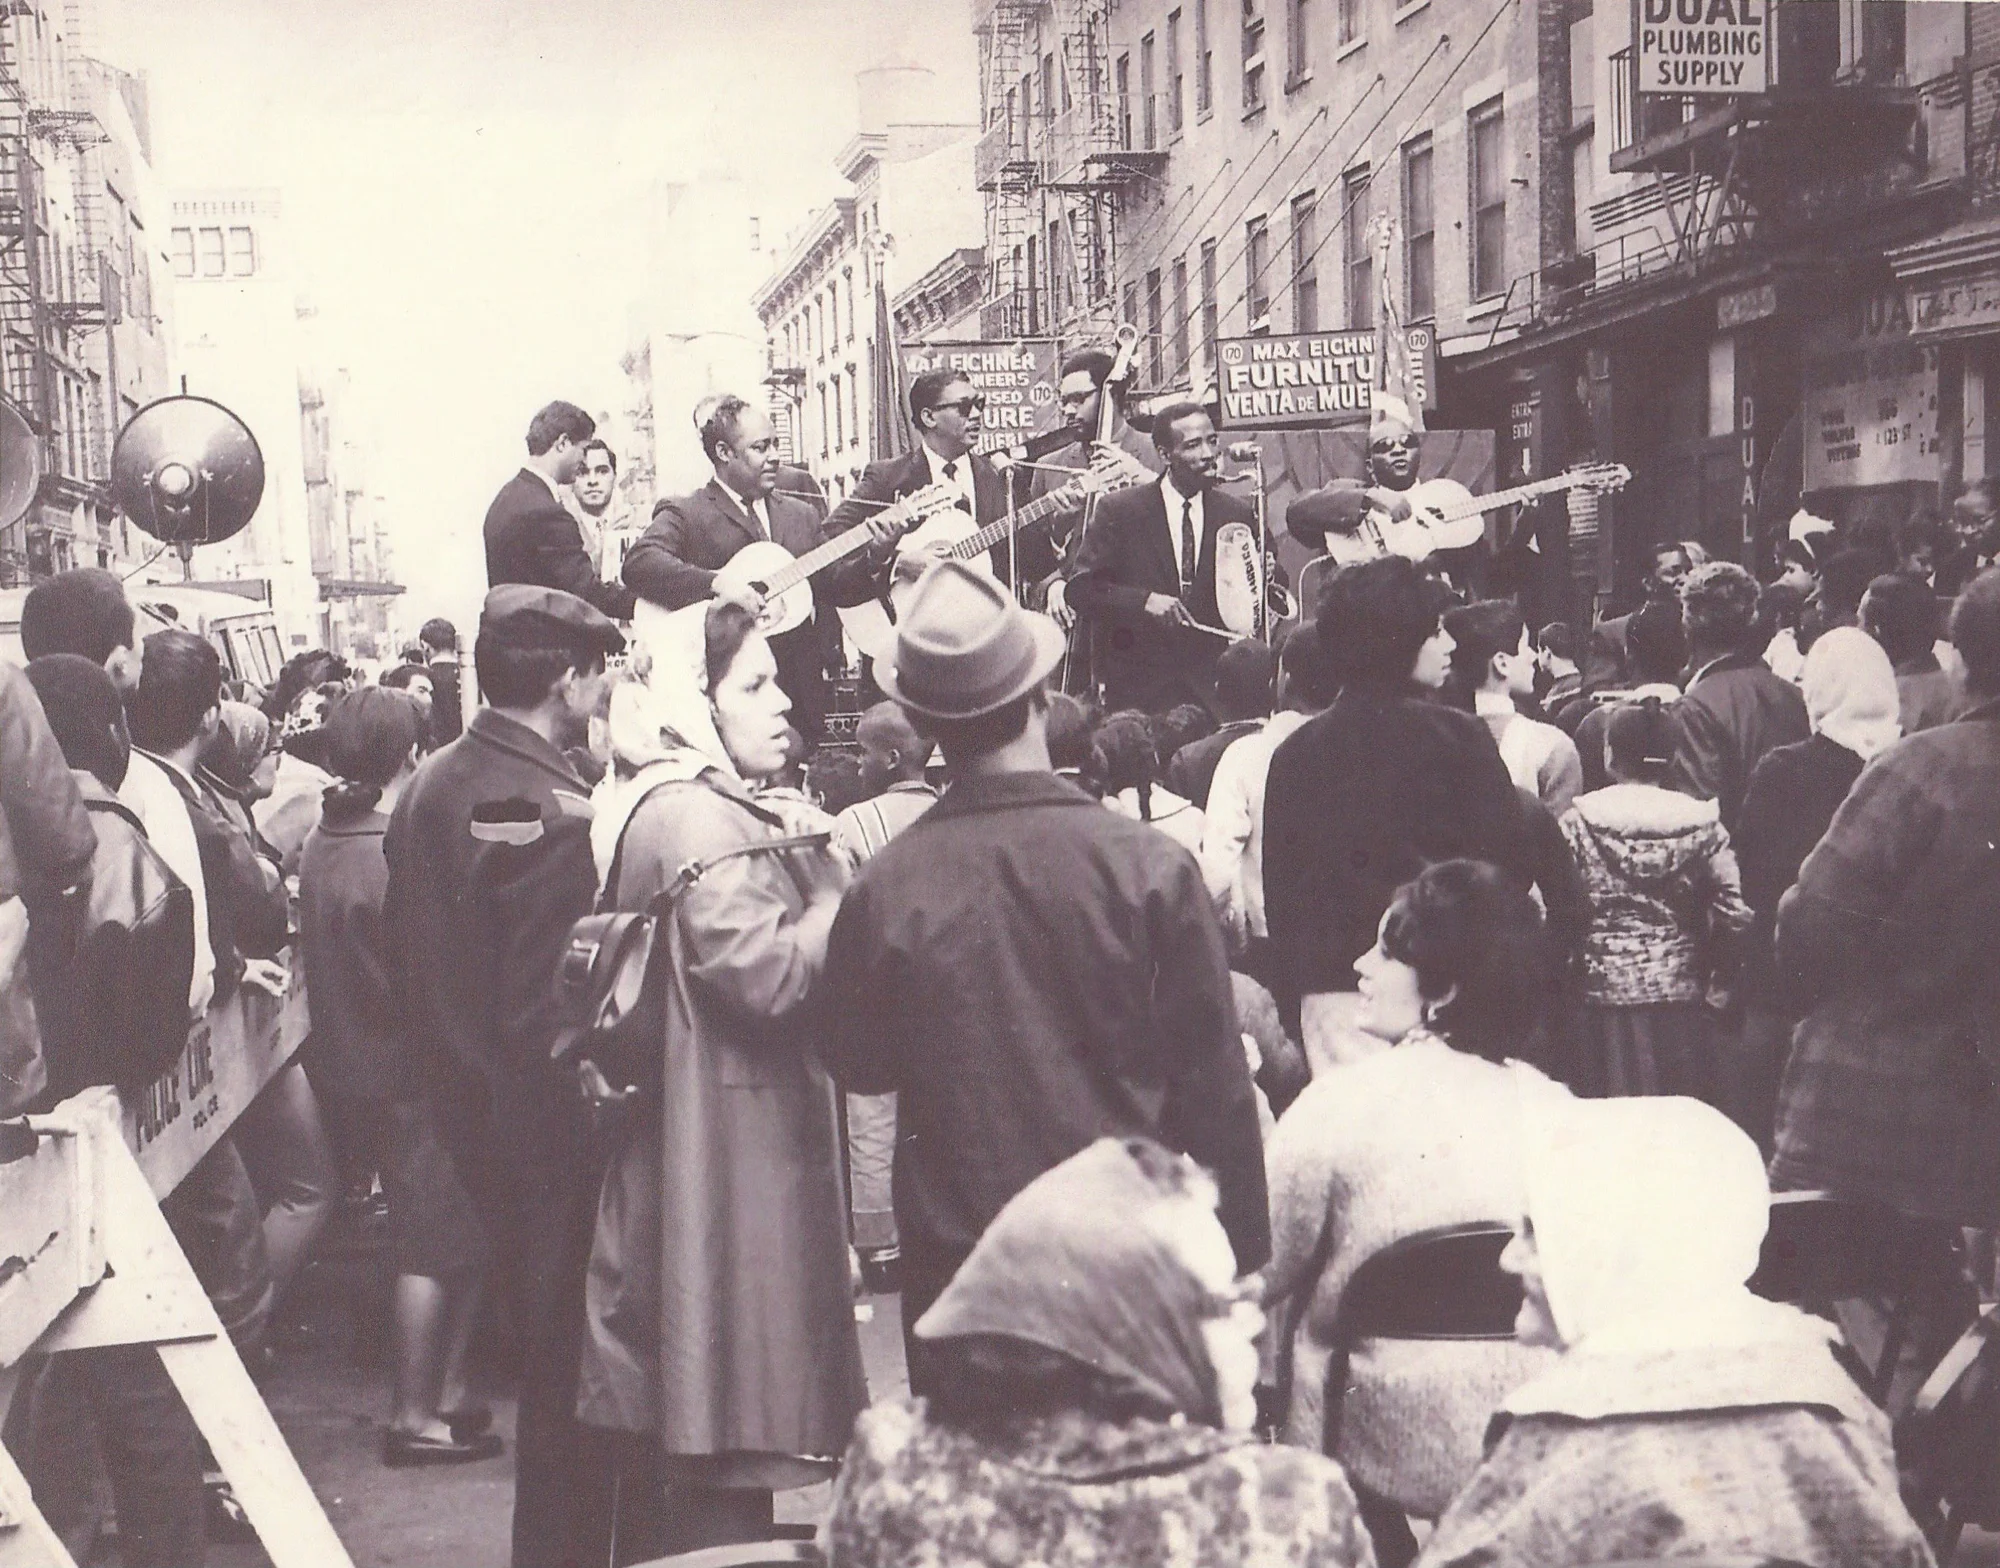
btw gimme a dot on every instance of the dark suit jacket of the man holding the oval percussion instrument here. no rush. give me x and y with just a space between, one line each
1131 555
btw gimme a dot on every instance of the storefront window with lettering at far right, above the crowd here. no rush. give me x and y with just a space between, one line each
1871 399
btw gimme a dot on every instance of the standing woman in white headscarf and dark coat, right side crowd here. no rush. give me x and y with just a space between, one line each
1853 701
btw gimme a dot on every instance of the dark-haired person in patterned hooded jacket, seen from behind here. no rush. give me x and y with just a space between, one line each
1665 909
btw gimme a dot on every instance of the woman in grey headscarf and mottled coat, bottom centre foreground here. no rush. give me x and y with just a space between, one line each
1095 1399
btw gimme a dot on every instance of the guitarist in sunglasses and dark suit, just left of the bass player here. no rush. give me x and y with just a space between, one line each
949 417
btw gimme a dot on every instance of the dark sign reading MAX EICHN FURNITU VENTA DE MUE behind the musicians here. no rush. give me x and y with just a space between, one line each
1313 381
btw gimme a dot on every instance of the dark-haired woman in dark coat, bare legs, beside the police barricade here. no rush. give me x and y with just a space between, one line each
373 741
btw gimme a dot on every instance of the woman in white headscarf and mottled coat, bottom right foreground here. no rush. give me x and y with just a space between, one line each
1687 1419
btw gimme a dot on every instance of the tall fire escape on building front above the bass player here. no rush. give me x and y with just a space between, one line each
1061 143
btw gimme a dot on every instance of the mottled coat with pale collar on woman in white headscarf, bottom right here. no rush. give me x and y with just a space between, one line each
1751 1453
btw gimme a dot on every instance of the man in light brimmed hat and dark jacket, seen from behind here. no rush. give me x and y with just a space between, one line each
1023 967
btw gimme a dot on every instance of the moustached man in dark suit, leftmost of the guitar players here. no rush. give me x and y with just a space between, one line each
681 557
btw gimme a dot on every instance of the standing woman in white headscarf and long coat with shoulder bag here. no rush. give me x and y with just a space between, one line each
721 1323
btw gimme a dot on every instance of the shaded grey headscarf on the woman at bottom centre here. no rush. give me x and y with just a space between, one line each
1073 1267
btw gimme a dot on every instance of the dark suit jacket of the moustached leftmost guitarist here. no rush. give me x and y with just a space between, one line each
695 537
